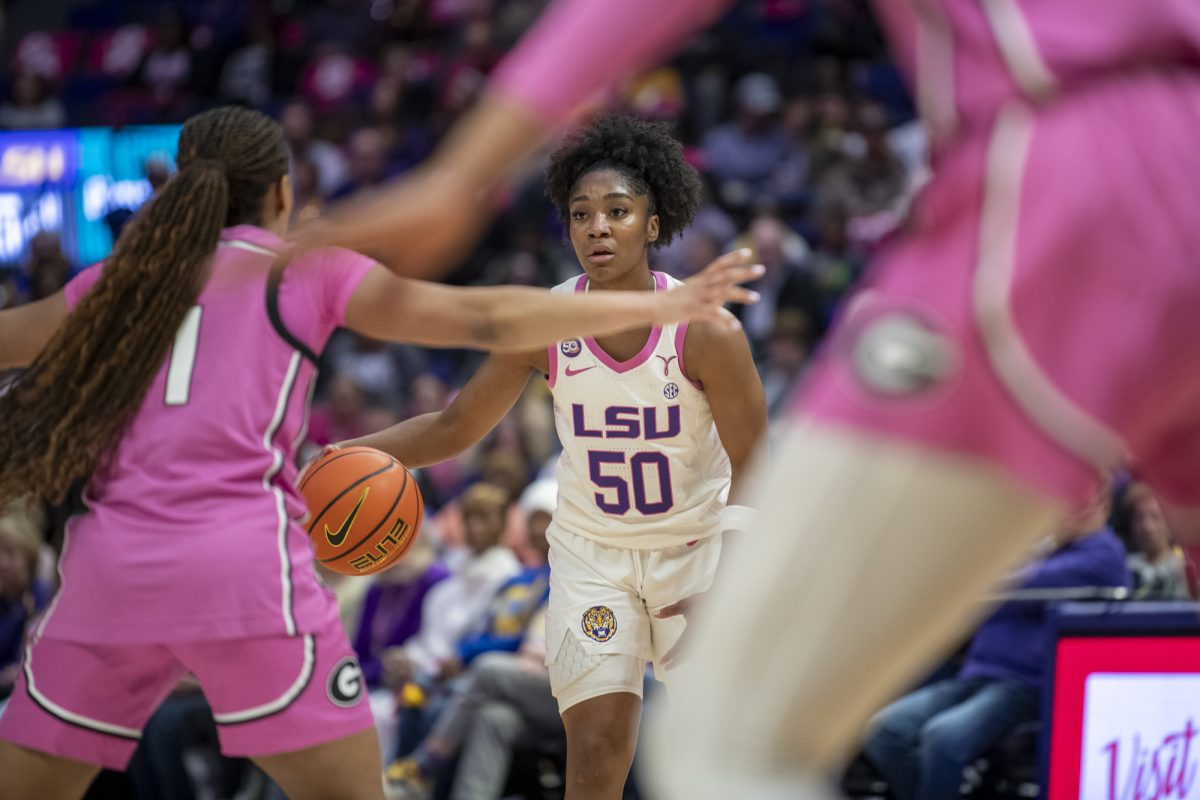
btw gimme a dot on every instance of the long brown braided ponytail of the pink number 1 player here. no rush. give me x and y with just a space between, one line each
64 418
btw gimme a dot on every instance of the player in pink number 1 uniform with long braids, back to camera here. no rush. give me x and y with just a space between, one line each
173 381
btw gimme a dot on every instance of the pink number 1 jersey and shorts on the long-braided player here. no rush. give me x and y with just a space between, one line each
191 557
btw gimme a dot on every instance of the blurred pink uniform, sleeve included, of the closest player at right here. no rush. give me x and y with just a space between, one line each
1037 311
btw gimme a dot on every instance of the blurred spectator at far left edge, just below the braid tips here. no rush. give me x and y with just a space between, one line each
22 596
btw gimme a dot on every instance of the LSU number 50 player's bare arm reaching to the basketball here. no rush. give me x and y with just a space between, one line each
475 412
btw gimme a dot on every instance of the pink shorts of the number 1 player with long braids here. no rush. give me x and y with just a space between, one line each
269 695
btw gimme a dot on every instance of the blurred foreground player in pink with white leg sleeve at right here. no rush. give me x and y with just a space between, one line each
1031 328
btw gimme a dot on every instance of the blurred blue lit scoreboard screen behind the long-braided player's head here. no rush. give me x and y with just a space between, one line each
70 181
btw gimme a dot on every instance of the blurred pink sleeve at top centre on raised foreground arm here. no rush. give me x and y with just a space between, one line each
580 46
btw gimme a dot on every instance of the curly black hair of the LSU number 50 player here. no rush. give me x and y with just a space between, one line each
645 153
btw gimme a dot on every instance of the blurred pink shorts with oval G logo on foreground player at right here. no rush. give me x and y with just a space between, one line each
1041 309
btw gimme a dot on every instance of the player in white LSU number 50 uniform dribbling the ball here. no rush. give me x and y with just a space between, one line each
656 425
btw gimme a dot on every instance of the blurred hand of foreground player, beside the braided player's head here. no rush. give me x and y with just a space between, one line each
421 225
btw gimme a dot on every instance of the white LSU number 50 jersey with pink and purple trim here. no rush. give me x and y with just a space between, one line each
643 466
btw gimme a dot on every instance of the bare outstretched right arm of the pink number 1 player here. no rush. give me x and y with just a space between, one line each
514 320
